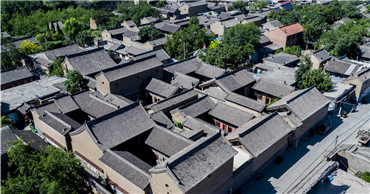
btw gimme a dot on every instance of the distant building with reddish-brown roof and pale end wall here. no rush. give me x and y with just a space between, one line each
287 35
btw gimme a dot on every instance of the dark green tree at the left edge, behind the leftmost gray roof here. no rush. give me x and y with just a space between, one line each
10 57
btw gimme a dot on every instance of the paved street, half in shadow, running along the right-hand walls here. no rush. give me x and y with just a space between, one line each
298 163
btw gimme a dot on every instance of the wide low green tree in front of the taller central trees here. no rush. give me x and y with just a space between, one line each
228 56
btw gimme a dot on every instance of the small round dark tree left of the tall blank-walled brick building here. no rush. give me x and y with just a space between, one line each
75 82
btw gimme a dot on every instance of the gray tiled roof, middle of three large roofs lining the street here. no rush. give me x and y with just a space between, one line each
257 137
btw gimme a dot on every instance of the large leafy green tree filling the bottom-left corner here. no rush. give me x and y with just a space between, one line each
50 170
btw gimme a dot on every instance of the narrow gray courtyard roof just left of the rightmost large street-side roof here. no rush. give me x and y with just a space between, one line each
245 101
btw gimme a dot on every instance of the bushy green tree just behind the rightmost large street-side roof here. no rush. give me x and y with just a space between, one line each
317 78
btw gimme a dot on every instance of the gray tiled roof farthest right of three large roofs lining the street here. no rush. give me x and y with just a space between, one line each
302 103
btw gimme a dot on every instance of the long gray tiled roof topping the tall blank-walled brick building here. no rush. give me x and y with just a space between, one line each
131 68
